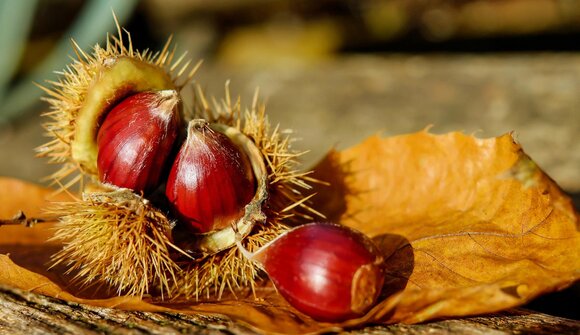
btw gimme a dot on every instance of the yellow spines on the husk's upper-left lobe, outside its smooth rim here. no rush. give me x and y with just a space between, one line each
67 95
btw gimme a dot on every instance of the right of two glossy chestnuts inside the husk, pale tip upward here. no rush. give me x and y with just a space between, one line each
210 181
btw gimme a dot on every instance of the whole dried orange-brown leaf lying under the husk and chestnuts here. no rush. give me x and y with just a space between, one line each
468 226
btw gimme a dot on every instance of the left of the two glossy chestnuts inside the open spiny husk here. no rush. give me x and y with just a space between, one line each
136 139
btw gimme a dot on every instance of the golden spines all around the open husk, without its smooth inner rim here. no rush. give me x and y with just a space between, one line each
121 239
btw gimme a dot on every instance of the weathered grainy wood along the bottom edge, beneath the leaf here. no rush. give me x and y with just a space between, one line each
30 314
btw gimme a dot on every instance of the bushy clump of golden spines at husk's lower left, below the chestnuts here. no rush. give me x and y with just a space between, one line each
117 238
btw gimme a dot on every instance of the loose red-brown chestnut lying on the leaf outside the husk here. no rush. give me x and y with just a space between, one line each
330 272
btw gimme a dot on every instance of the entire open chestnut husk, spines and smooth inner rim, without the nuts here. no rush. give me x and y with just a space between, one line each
91 86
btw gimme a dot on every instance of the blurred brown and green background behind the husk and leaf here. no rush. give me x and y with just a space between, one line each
333 71
